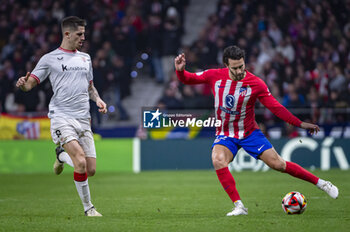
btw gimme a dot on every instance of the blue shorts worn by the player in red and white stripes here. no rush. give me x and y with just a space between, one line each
254 144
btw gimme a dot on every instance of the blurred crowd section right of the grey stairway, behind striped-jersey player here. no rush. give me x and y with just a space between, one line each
299 48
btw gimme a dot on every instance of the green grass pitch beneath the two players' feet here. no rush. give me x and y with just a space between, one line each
169 201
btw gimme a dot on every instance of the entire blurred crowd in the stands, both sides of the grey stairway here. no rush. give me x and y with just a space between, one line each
299 48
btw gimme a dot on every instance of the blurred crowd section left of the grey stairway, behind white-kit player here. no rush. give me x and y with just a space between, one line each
117 33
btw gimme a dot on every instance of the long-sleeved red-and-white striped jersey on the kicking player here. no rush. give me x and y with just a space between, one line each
235 100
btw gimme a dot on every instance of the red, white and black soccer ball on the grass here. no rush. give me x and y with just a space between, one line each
294 203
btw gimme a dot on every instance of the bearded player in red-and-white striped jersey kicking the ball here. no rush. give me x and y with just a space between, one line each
235 91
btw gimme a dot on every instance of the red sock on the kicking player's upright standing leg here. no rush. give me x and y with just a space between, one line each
228 183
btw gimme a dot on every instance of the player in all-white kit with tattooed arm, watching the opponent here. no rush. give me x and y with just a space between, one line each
70 74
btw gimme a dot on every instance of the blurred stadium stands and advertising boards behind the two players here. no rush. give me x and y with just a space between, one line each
299 48
